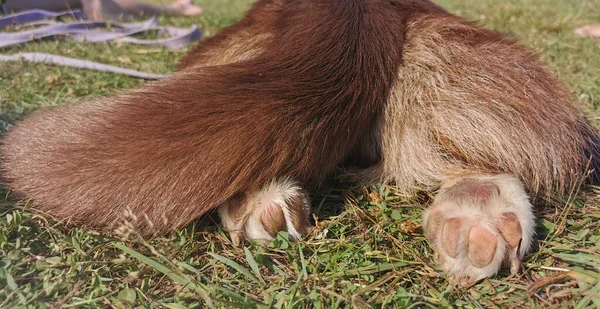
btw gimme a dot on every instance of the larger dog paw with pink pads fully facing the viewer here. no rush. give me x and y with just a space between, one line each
477 224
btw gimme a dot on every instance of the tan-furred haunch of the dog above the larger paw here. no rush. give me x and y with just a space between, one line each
473 101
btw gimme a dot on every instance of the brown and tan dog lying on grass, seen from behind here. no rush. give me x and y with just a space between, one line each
275 104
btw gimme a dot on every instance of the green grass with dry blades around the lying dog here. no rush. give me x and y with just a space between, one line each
366 248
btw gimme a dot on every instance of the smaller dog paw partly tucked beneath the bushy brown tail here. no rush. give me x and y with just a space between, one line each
279 206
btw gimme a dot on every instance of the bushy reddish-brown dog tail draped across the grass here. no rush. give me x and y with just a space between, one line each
172 150
